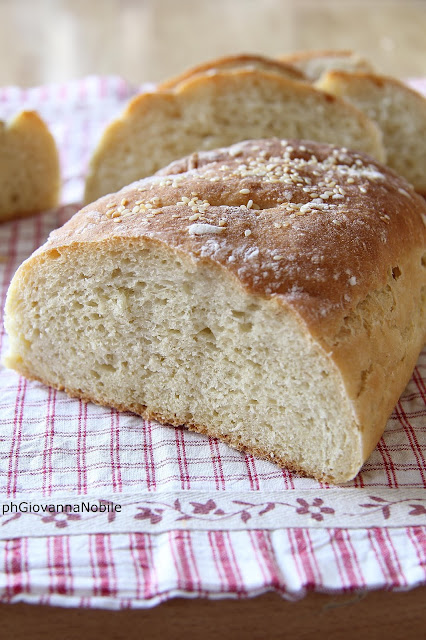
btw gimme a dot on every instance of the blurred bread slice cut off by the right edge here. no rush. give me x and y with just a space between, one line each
399 111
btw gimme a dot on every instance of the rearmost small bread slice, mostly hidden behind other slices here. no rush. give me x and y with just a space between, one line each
314 63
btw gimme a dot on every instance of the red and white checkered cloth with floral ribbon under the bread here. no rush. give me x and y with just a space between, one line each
168 512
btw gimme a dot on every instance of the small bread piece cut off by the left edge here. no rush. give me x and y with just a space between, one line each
29 167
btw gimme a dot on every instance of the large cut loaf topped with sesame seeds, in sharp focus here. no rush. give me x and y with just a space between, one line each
273 297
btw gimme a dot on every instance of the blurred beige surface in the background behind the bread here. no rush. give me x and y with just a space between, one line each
53 41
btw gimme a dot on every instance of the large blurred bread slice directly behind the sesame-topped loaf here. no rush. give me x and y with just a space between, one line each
210 111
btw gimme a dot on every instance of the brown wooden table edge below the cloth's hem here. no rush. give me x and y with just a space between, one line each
375 615
